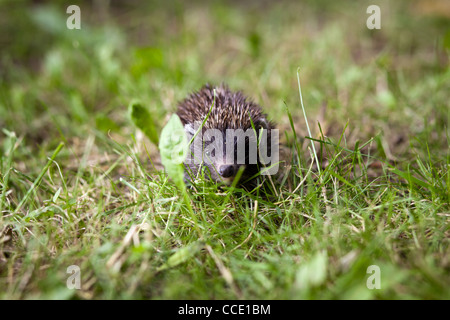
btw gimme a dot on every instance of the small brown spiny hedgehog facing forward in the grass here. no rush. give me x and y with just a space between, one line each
235 139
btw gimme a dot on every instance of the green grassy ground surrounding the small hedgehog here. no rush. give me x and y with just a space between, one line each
80 185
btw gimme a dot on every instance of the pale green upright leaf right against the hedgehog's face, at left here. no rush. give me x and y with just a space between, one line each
173 147
